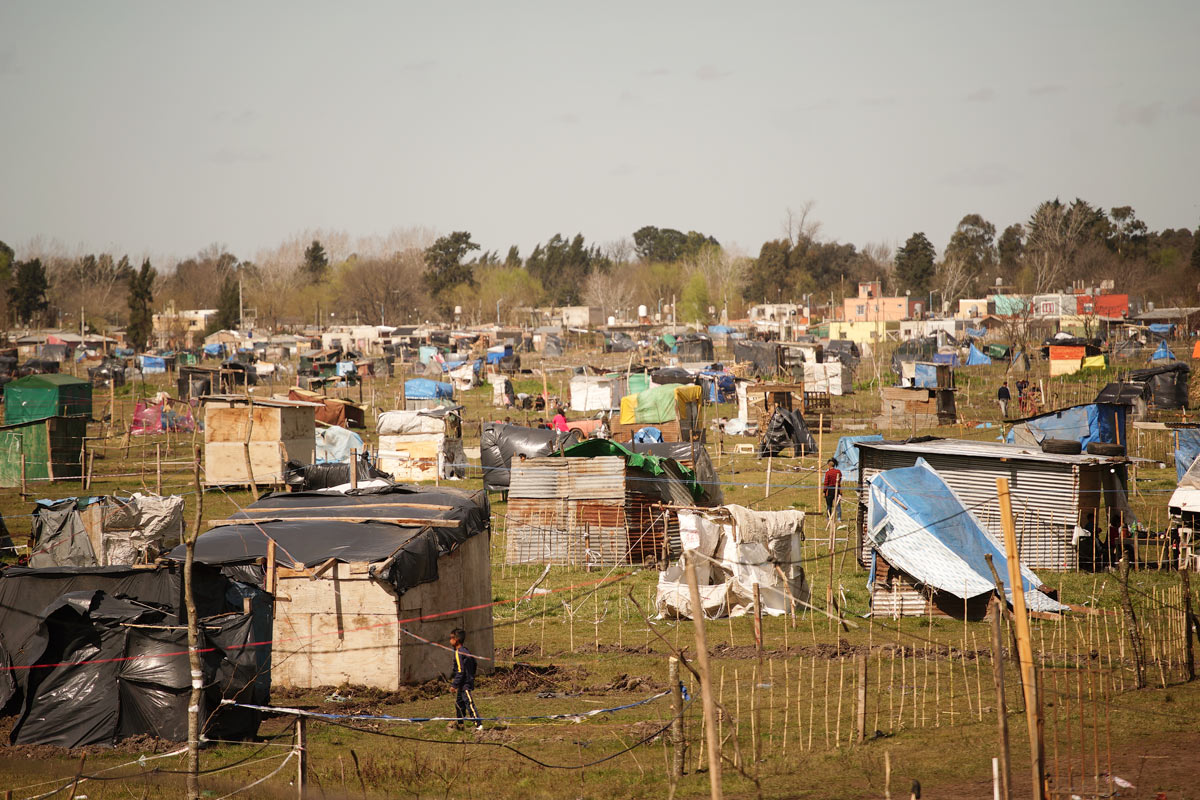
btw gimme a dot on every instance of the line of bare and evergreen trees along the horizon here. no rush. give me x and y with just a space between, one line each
415 276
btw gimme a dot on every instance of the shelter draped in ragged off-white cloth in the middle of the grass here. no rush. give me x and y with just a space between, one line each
737 549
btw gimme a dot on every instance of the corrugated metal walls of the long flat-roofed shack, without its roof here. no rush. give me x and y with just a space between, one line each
1046 500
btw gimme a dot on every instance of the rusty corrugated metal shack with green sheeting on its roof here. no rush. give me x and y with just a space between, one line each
601 506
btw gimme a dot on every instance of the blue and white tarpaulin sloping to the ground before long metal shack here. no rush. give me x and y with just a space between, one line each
921 527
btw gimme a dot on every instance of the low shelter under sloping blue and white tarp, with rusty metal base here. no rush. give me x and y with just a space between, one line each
927 543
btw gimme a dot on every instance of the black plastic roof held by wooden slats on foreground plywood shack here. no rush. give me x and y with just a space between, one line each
415 549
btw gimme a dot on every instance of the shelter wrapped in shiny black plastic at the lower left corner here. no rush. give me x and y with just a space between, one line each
106 681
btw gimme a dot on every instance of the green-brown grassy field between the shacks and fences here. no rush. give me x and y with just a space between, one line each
788 720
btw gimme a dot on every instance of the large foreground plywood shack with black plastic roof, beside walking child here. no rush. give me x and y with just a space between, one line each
350 567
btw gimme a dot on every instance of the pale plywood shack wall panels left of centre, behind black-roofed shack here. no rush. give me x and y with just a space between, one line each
279 434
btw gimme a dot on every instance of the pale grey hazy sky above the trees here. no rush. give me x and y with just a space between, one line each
166 127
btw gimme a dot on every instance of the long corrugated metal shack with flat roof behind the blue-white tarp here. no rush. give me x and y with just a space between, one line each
1052 494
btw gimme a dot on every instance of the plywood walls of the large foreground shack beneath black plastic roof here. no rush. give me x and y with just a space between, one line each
346 628
